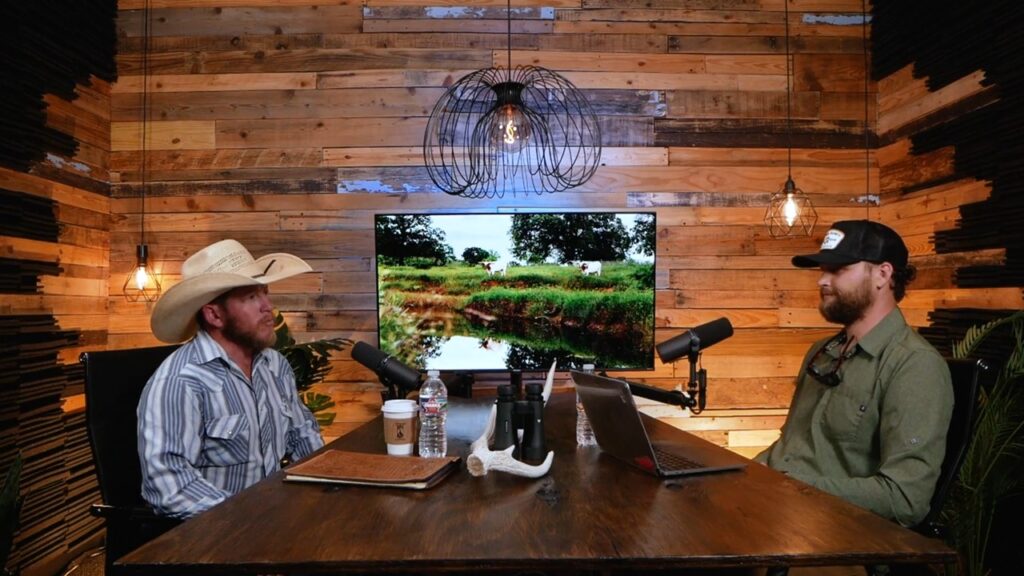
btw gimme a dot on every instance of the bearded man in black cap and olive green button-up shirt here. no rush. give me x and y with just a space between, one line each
873 404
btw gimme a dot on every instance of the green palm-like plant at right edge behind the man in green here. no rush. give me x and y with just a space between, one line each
993 470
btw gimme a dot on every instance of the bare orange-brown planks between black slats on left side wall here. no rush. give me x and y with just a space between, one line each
79 188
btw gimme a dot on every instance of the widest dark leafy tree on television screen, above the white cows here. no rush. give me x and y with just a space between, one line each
566 238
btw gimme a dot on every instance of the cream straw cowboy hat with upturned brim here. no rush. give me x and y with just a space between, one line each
210 273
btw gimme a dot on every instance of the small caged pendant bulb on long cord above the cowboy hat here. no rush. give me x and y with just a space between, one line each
142 283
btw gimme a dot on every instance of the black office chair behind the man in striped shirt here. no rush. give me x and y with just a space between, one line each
114 383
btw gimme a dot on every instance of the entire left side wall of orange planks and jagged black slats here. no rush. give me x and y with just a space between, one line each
55 147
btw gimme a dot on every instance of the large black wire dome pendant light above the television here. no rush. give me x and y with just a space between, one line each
522 131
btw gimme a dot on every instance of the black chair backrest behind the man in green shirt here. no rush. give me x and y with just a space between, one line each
967 377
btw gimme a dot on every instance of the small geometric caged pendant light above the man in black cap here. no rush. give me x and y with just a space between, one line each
790 212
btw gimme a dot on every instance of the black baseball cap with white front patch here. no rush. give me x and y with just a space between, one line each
854 241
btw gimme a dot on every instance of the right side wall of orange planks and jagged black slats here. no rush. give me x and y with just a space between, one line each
950 154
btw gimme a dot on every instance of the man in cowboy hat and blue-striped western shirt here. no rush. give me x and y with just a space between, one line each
223 412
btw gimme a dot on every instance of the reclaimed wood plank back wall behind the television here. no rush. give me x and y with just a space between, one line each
287 126
